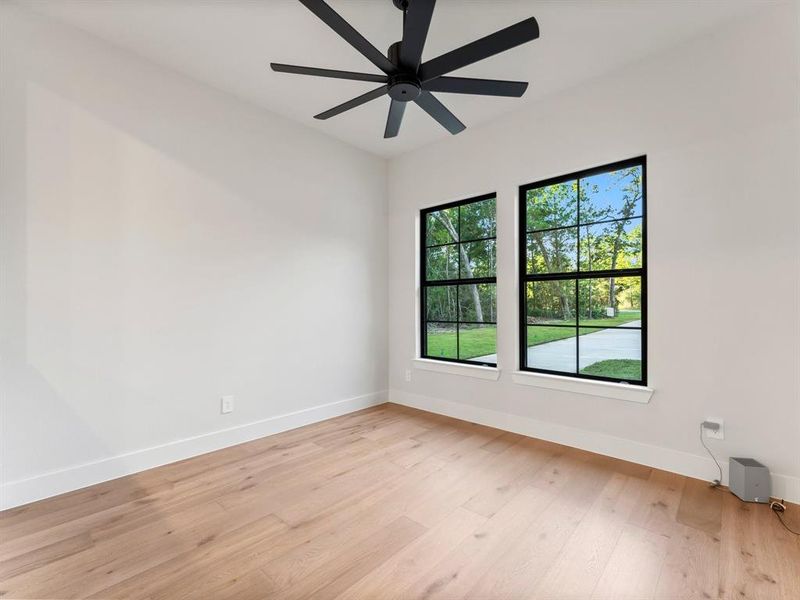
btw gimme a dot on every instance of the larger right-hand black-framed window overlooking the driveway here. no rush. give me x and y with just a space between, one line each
583 274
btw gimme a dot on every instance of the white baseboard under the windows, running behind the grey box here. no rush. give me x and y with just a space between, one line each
675 461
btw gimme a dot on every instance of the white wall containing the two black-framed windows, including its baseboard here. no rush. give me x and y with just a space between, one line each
718 121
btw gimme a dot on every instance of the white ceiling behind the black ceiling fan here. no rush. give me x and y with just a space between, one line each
229 45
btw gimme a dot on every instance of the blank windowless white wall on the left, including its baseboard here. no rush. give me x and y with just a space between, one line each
164 244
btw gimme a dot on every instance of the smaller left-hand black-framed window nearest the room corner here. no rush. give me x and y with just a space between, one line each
458 292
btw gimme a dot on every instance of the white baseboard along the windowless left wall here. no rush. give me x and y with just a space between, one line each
53 483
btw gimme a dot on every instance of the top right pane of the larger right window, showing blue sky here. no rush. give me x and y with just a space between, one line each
612 195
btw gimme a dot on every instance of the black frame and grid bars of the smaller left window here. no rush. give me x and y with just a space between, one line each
425 284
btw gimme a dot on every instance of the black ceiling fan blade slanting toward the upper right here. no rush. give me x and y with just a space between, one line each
500 41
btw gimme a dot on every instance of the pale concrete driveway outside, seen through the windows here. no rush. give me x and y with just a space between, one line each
605 344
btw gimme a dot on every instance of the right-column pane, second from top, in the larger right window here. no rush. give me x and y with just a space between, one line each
615 245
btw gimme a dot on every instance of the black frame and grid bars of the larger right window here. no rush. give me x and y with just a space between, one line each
524 277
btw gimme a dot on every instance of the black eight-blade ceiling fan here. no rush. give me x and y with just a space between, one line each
405 77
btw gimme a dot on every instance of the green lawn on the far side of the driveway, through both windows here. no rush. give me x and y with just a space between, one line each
482 341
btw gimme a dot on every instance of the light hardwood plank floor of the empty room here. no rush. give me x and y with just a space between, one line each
396 503
